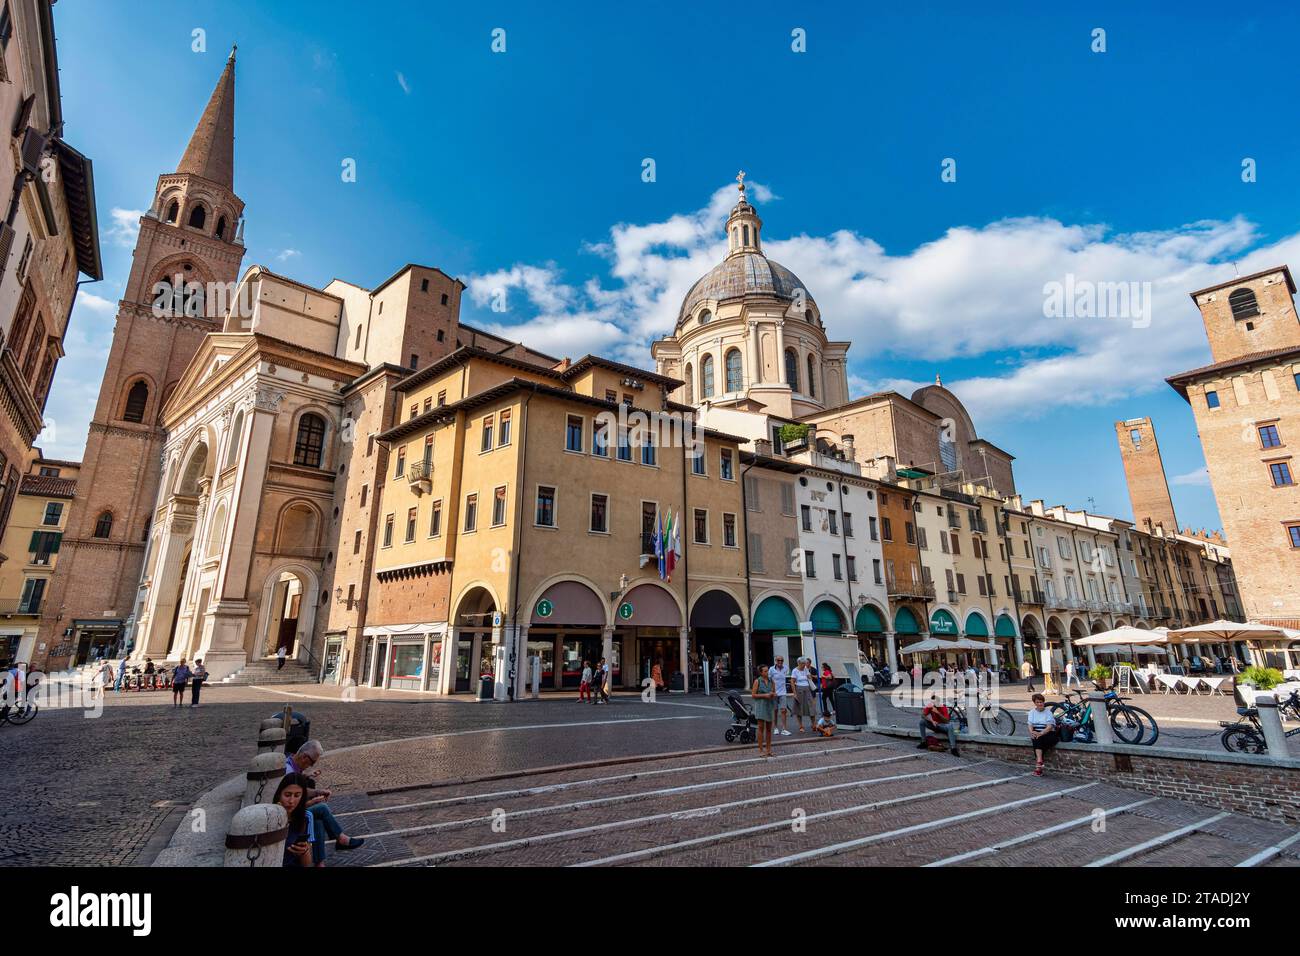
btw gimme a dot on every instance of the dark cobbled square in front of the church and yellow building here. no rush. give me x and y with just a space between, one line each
110 791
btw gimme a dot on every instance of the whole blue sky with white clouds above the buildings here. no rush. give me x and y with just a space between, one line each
523 171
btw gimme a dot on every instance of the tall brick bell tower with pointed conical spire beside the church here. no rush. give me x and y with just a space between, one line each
190 239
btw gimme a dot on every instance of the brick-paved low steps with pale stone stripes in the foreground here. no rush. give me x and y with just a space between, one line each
856 799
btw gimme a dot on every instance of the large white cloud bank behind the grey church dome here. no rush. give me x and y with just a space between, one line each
974 292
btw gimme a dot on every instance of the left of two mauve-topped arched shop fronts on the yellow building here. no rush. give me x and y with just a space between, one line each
566 633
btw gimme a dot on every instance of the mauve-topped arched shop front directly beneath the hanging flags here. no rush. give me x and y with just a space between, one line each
648 634
